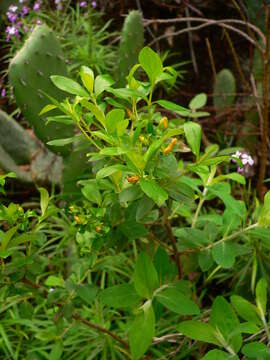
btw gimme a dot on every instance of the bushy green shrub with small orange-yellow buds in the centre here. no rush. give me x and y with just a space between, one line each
152 191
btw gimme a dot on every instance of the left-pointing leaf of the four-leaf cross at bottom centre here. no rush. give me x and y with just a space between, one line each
120 296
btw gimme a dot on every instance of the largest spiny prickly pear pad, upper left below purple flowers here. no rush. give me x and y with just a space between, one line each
29 75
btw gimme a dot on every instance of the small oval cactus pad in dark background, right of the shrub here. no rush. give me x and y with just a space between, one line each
224 89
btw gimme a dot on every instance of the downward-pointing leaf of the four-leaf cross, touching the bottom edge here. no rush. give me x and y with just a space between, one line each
141 333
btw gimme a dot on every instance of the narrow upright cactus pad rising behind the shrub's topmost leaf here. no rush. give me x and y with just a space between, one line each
132 40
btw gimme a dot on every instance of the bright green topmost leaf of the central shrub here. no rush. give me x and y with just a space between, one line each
151 63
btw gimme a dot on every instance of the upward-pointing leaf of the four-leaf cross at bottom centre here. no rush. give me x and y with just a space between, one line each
145 276
